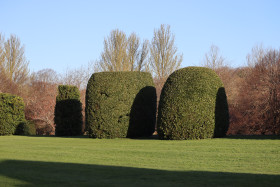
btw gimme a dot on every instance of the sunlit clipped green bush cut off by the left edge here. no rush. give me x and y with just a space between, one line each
11 113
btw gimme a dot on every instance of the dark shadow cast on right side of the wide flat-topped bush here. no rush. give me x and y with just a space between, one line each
143 113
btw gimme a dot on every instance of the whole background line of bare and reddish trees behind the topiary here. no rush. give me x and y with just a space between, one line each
252 91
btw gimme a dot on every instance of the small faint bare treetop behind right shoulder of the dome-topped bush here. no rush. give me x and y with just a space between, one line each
213 59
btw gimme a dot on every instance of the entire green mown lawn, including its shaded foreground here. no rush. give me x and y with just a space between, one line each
54 161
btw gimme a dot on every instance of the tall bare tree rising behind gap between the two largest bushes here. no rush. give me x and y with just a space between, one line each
163 53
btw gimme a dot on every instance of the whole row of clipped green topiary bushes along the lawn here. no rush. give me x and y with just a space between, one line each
193 105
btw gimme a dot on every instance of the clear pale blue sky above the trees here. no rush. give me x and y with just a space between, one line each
60 34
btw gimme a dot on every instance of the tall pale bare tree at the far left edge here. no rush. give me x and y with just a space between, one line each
13 64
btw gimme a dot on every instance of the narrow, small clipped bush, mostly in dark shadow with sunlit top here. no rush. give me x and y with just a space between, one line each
68 111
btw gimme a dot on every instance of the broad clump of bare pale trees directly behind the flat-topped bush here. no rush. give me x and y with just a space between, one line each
122 53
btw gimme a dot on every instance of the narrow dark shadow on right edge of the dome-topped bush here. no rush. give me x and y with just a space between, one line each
221 114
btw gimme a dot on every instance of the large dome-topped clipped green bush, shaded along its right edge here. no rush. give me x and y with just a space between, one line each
193 105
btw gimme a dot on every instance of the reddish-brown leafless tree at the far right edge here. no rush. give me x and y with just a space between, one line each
259 95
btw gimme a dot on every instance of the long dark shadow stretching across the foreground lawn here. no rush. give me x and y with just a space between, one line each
32 173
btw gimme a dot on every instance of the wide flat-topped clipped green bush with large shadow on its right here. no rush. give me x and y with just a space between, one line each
120 104
